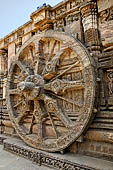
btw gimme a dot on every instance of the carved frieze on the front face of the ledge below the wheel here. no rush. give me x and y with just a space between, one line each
44 159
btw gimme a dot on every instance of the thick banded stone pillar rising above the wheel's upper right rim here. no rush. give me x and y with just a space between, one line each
89 13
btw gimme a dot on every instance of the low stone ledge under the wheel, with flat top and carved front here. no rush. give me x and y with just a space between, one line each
58 161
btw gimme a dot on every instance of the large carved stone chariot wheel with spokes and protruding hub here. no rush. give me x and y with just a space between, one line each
51 91
